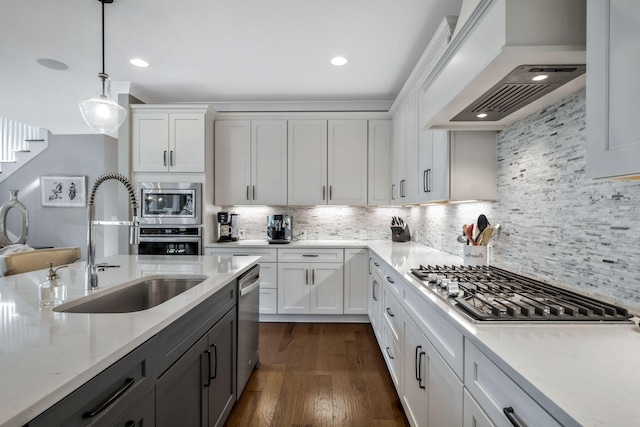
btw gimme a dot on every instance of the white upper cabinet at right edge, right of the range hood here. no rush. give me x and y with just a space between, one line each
613 47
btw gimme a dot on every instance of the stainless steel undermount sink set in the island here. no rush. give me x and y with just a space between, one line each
137 295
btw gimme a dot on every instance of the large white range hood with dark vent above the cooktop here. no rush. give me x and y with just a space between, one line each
484 79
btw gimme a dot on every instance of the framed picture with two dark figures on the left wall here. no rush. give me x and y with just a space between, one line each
63 191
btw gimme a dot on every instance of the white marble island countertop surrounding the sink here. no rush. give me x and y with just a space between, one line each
45 355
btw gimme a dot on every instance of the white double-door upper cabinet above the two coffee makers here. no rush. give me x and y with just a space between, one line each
251 162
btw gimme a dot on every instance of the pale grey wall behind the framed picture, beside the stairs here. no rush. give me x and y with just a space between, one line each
89 155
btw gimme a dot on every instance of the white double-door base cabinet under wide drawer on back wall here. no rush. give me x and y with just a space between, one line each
310 288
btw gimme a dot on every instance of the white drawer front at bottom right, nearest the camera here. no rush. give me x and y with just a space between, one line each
504 402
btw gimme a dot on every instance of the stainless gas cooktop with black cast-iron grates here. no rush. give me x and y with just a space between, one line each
487 293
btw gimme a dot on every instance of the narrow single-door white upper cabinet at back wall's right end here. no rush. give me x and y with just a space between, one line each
379 162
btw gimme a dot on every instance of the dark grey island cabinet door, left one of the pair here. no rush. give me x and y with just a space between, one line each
181 398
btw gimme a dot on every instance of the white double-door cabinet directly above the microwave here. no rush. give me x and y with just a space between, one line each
169 138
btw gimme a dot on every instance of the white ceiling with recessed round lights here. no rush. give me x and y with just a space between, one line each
214 51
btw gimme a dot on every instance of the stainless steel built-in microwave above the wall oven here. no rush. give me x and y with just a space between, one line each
170 203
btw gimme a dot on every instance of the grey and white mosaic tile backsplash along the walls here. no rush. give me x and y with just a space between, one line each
556 224
